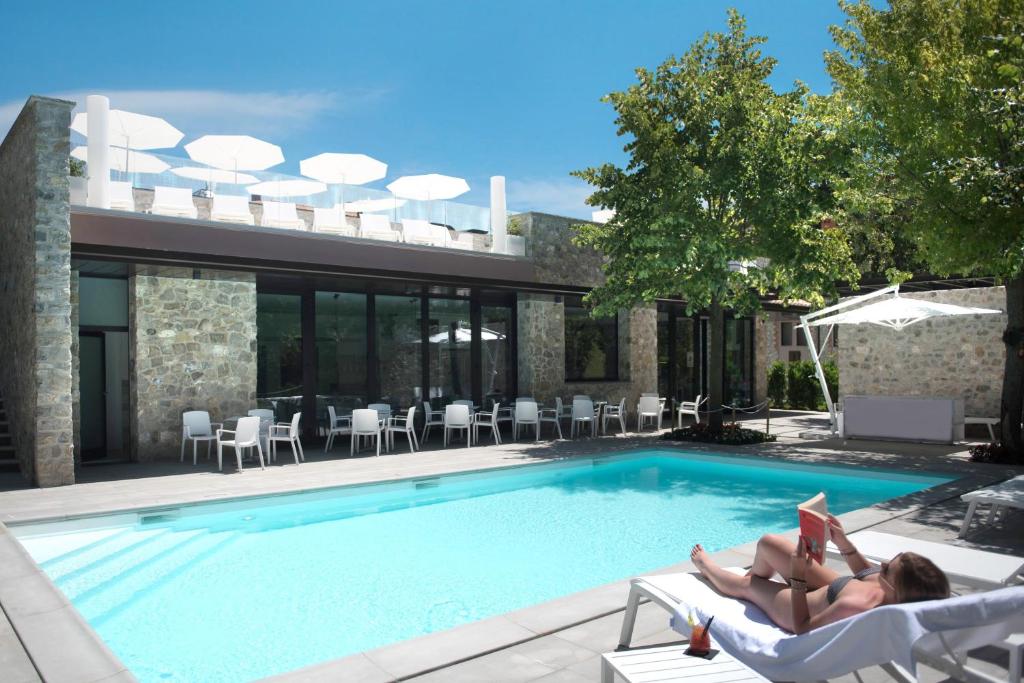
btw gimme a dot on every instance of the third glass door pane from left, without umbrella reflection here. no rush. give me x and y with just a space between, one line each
398 327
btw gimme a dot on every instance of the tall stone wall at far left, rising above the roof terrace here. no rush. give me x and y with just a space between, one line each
35 290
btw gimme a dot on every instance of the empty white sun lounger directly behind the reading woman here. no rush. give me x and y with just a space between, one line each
973 568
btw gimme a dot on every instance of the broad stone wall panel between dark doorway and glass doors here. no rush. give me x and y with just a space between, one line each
193 347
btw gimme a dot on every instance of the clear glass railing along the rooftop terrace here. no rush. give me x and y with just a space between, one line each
470 226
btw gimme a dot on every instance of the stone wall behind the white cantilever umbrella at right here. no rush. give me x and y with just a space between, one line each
959 357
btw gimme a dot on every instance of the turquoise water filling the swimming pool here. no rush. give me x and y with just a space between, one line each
234 592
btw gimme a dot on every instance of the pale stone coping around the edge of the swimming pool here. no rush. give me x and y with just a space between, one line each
49 655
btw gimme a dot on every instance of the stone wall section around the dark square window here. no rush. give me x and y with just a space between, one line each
542 354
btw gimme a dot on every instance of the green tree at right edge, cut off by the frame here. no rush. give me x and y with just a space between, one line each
936 87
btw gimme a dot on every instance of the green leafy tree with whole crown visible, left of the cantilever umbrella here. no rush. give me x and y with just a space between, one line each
722 172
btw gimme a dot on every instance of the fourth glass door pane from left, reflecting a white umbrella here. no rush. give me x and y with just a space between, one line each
449 345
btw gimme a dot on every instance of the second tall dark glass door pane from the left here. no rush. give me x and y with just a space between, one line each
342 353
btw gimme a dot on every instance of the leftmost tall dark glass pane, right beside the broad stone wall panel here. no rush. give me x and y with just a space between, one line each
279 350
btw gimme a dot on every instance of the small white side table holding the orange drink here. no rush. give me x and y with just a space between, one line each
668 664
